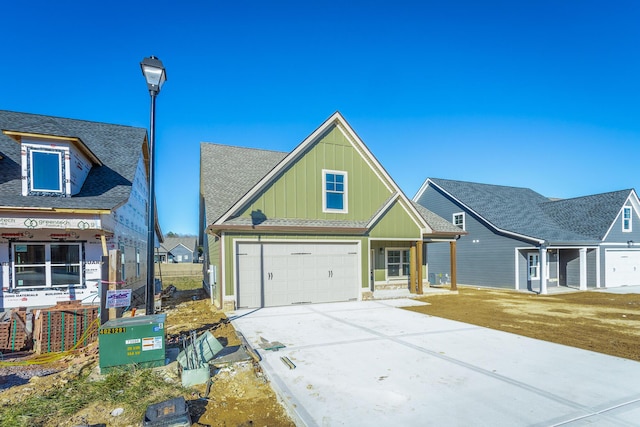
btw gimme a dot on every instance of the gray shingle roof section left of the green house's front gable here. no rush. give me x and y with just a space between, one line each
227 173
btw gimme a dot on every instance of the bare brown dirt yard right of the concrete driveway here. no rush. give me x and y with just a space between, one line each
597 321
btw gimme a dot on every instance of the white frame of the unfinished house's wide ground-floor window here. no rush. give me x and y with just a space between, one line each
48 265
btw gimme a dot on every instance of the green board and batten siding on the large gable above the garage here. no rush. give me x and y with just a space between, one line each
366 192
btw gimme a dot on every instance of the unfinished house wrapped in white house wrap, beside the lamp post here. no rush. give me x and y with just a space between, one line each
70 191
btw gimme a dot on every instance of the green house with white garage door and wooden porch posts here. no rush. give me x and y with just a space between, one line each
322 223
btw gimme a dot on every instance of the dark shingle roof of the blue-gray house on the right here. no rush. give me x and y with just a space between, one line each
525 212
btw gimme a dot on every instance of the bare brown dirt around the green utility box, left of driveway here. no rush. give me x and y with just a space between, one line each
240 394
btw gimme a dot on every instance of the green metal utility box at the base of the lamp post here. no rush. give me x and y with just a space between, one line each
136 340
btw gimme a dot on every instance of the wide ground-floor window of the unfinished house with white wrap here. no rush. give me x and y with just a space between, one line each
47 265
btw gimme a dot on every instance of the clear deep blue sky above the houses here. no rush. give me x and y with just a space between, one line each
539 94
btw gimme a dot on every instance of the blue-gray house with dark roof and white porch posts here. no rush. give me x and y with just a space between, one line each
514 234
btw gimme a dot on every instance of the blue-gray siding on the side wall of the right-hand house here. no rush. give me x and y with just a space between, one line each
484 257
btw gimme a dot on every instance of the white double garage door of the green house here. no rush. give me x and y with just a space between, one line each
275 274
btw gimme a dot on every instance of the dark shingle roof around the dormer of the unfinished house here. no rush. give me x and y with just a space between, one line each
106 187
